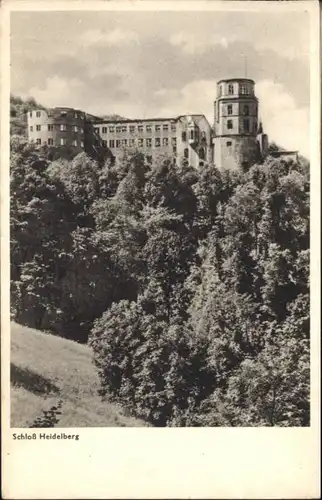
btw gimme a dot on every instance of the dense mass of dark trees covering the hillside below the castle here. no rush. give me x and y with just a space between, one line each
191 287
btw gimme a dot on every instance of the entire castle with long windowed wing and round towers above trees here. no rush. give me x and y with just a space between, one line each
236 140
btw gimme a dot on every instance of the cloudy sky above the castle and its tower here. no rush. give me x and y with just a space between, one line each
154 64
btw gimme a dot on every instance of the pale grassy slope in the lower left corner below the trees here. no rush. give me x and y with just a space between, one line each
47 369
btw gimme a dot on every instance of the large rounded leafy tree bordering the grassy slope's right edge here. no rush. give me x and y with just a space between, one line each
151 366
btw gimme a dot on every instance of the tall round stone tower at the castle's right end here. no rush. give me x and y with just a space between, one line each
236 124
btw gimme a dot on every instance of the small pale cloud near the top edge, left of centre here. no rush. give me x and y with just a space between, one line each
113 37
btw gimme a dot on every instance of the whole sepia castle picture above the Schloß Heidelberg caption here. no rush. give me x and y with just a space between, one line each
159 218
